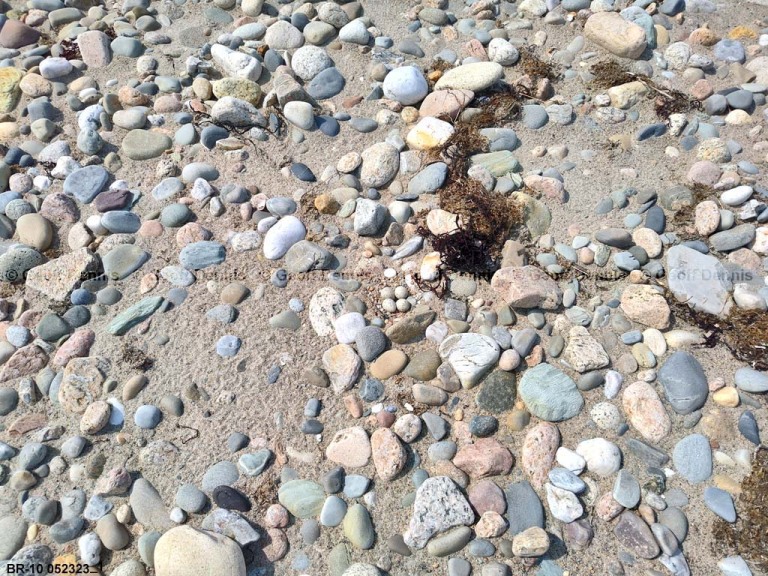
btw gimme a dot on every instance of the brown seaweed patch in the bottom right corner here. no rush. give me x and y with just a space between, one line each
747 536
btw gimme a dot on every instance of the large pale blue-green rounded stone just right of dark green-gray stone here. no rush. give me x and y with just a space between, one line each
550 394
